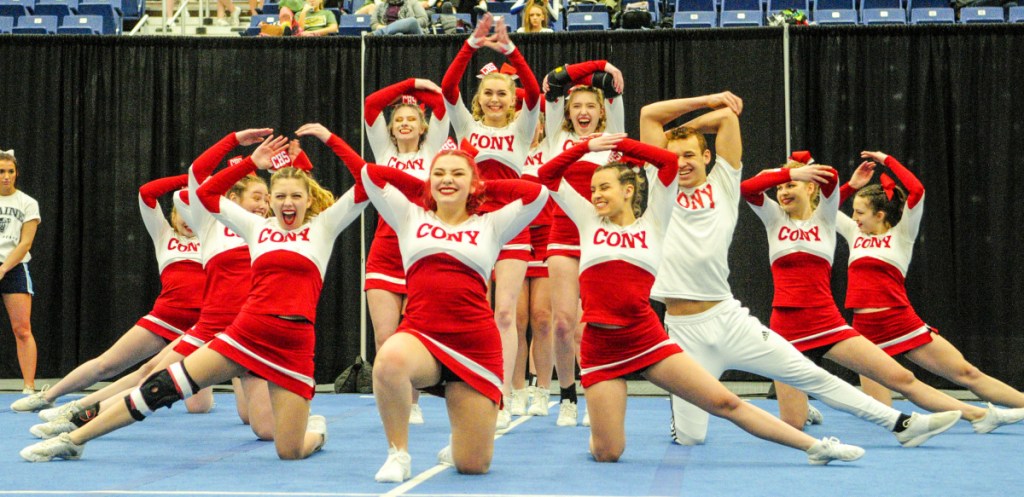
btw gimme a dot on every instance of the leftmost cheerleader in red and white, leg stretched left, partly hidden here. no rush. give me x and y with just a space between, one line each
176 310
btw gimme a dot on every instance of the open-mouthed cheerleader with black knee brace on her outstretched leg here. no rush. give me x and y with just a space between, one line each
273 336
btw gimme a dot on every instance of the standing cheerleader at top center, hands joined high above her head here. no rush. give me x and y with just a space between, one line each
503 138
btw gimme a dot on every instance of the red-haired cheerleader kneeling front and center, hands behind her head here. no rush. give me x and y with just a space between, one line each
449 340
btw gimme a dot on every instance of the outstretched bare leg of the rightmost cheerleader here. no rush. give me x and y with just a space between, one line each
944 359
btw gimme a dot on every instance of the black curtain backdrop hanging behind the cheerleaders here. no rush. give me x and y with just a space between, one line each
92 119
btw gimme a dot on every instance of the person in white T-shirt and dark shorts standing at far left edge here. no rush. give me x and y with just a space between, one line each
19 221
